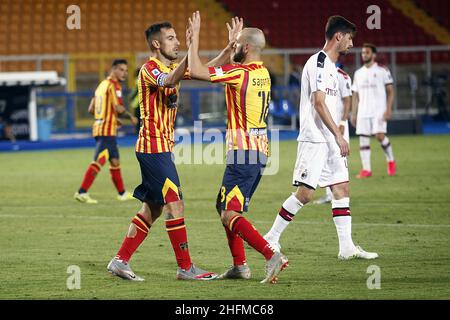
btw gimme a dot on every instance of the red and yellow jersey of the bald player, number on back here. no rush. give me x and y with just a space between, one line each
247 98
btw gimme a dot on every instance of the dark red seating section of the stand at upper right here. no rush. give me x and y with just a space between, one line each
283 17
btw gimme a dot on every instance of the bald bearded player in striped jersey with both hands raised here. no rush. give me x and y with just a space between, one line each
247 87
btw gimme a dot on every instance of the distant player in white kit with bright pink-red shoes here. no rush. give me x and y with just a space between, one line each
372 107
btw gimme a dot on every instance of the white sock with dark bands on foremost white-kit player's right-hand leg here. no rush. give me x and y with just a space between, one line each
343 222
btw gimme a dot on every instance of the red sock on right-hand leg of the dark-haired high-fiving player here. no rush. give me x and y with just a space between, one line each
178 237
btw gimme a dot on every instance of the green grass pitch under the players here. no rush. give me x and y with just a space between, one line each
406 219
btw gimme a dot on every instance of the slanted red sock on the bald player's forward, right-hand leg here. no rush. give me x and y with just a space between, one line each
240 226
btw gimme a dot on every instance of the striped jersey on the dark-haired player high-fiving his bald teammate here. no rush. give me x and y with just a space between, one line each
158 107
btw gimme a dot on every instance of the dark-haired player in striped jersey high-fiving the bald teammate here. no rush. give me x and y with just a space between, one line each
158 85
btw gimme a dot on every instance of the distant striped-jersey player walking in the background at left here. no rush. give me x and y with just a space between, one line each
106 106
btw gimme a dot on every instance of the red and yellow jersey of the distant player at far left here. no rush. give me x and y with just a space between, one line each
107 96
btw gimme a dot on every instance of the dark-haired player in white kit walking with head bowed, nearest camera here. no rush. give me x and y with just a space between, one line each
322 149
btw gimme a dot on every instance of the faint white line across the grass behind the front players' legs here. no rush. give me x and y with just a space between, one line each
192 220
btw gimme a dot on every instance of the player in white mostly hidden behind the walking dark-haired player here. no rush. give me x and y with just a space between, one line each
343 111
